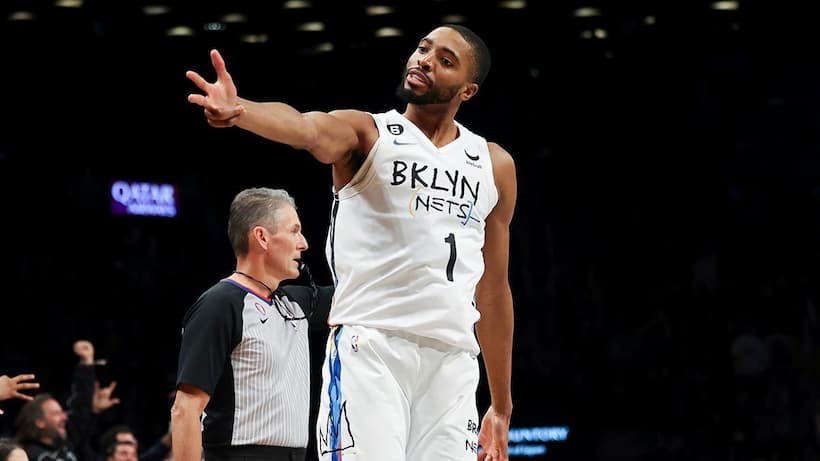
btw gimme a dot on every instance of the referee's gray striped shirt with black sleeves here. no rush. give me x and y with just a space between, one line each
239 347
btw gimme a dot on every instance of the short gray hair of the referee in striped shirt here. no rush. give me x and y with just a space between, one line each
257 206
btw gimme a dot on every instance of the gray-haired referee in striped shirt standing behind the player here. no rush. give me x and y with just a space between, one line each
243 378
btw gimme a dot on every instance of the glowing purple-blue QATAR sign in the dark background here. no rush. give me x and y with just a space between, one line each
143 199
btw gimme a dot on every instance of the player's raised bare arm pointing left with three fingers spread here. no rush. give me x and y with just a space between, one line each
330 137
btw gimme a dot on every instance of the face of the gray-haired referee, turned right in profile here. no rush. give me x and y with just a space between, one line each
287 245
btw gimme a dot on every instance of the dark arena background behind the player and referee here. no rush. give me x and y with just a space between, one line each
664 252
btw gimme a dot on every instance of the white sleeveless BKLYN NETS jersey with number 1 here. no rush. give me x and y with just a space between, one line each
407 233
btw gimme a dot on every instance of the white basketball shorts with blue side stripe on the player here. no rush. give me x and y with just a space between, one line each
389 396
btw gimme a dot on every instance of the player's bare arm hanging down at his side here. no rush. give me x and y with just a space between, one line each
494 301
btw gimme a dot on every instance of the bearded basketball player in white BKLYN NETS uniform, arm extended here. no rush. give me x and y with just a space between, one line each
418 246
